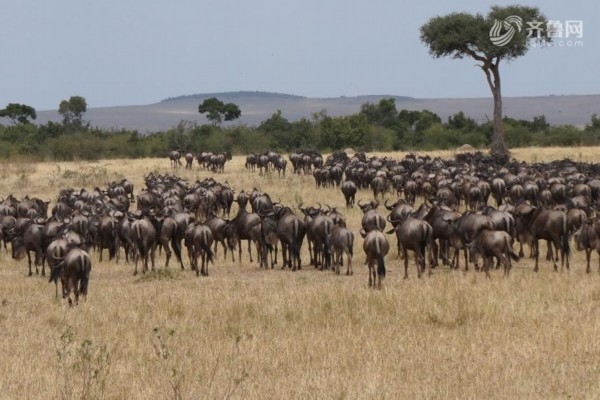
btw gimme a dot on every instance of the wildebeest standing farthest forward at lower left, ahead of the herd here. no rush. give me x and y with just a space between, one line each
74 272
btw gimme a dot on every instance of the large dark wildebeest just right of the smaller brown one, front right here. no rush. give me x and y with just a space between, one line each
549 225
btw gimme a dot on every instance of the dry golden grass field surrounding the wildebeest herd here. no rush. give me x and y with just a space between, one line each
249 333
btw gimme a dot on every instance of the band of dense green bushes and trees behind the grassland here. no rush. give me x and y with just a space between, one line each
376 127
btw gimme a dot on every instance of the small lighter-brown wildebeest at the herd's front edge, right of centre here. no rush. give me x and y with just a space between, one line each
494 243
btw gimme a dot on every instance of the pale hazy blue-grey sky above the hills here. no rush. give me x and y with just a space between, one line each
133 52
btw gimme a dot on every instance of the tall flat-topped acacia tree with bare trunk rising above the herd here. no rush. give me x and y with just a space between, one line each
506 33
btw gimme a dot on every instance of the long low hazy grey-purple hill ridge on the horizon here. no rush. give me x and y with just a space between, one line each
258 106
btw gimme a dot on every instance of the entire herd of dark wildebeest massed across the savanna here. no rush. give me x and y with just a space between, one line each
501 205
